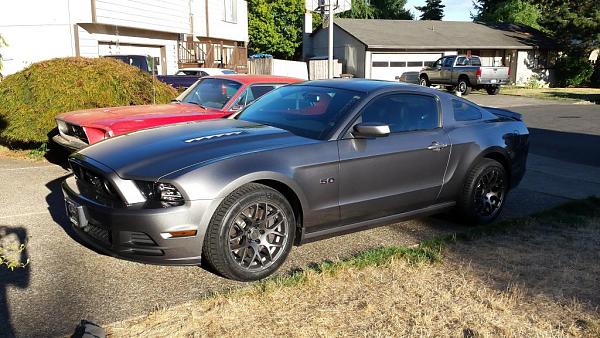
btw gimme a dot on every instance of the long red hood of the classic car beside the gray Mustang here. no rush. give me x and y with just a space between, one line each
122 120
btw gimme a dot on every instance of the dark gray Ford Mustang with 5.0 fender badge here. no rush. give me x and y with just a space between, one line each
304 162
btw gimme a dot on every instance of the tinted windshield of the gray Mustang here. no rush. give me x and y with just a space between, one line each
308 111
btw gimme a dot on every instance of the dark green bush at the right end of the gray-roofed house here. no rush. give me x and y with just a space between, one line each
573 71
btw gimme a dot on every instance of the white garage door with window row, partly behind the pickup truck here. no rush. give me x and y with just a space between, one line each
386 66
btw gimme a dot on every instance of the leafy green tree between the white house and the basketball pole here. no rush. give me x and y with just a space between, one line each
276 26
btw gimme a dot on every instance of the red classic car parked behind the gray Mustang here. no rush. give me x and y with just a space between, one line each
210 98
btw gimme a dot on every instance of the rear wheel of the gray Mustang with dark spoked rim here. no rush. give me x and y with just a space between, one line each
484 192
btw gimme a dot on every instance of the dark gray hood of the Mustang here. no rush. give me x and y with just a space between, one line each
152 153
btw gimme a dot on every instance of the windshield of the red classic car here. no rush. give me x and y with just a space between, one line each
212 93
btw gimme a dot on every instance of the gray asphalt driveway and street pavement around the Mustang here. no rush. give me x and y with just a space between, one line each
67 282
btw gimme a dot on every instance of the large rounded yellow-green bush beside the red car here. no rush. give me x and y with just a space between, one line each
30 99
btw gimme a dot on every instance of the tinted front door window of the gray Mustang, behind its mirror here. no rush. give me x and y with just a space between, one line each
403 112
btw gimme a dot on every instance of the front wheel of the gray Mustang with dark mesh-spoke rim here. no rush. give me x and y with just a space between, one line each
250 234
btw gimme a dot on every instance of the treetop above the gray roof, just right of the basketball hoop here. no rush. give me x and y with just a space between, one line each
378 9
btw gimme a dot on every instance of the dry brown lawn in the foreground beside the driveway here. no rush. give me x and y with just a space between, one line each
541 281
